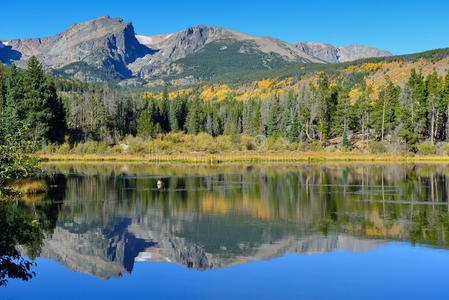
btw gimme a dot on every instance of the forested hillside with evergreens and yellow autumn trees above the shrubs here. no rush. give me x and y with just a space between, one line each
395 104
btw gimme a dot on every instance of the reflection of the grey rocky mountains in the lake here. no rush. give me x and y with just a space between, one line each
112 251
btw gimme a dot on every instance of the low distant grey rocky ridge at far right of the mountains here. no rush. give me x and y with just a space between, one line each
332 54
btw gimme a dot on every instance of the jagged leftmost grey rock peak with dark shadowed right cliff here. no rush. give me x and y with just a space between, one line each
104 43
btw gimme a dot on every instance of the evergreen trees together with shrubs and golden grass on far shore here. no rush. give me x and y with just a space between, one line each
287 122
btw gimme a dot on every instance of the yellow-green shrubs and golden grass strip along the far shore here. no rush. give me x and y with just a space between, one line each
204 148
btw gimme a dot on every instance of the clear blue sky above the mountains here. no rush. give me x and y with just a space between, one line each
403 26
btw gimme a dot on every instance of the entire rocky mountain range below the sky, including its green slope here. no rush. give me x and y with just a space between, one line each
109 49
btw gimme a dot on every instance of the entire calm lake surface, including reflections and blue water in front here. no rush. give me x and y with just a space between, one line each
247 232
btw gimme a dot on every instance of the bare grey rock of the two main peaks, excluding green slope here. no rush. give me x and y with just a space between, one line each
110 48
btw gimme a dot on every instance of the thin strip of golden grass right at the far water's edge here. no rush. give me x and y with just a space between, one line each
246 157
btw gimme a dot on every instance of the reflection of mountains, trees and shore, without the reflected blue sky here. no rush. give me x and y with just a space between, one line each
106 218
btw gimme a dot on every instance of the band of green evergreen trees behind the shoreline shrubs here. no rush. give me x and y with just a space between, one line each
419 111
